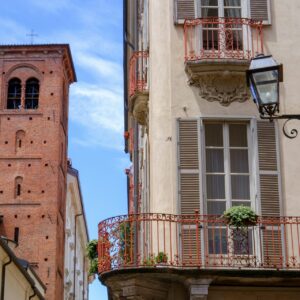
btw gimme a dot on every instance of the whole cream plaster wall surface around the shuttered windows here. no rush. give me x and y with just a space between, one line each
170 93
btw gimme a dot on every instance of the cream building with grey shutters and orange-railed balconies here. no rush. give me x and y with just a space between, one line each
198 147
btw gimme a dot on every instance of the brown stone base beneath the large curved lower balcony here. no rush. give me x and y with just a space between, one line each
184 284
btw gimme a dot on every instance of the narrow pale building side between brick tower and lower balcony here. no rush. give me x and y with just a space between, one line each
76 239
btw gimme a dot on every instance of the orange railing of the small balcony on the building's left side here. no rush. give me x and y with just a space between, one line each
138 72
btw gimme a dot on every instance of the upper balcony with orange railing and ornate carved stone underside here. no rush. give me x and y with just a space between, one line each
217 54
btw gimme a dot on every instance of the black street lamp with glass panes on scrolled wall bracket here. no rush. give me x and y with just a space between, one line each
263 77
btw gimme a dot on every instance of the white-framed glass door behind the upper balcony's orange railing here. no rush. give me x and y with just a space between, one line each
222 30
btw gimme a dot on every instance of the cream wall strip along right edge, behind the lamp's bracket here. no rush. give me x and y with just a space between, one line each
283 42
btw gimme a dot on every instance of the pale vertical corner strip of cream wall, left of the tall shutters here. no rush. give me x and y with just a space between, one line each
160 118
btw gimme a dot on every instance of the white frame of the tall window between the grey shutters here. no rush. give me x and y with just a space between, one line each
253 168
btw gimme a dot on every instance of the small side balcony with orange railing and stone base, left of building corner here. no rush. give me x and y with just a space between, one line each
138 86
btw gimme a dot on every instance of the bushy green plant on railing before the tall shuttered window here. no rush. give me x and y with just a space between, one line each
240 216
